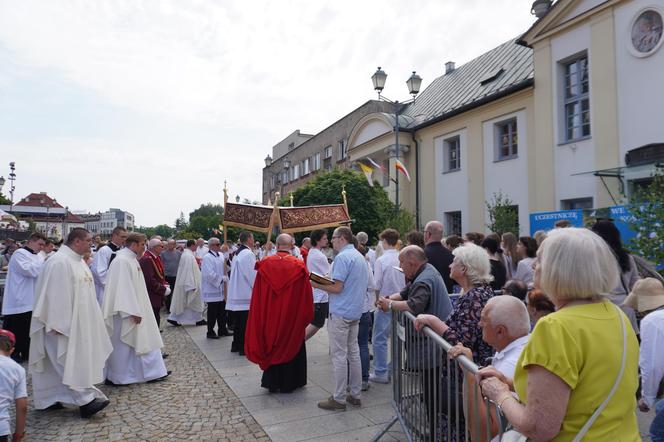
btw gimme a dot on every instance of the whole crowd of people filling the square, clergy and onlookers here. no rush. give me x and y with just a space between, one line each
556 319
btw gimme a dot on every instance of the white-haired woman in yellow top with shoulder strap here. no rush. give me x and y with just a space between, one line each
574 355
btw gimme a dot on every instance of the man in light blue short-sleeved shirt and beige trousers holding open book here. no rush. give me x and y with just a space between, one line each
346 302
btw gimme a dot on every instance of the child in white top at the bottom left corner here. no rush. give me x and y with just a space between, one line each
12 388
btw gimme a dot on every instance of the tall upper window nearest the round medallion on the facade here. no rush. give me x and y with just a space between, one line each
577 102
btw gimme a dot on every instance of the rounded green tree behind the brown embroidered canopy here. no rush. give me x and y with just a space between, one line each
369 207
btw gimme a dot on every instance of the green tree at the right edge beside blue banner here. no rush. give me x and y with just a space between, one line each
647 220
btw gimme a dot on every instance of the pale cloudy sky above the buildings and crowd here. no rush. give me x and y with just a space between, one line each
150 105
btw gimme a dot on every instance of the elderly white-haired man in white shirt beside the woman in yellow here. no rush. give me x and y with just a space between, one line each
505 327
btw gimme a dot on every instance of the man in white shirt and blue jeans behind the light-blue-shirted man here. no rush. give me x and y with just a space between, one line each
389 281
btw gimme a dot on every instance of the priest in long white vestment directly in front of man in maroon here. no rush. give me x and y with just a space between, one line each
130 321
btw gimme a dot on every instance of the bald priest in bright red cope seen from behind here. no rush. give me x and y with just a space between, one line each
281 308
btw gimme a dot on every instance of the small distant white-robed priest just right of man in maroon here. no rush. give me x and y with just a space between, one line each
187 305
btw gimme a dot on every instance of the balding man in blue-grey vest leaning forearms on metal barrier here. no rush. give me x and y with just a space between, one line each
425 293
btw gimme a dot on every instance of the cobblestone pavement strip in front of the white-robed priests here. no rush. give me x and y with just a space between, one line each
194 403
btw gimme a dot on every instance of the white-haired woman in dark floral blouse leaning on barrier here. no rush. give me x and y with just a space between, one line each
472 271
